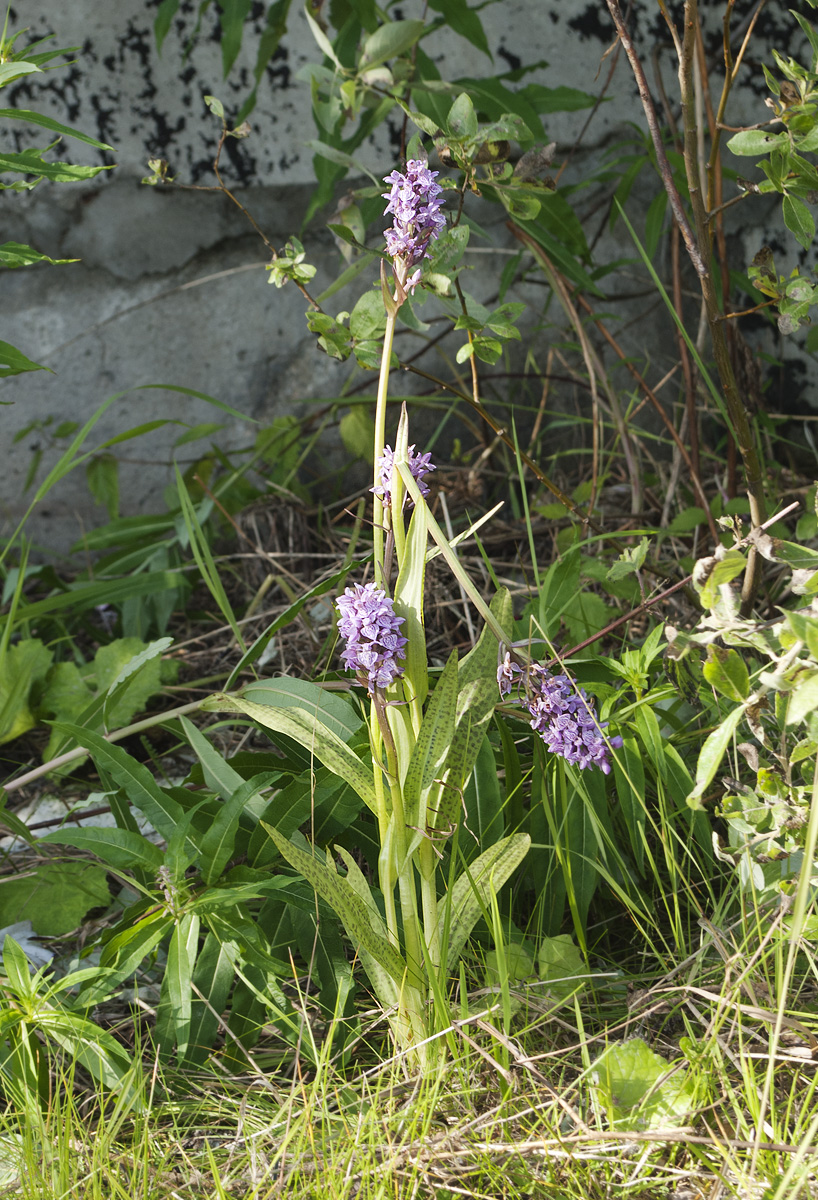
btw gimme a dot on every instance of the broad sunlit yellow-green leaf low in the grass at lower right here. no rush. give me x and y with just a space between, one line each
640 1090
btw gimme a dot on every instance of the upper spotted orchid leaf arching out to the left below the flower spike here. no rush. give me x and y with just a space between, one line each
309 731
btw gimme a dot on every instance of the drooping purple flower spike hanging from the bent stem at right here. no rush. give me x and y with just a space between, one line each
562 715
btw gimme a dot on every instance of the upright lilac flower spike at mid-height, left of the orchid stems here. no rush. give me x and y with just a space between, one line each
370 627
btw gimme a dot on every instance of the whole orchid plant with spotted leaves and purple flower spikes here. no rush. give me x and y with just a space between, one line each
411 931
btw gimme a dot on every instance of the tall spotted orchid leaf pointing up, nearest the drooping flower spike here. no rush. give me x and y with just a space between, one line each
477 699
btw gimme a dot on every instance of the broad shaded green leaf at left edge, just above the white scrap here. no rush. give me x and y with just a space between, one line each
55 898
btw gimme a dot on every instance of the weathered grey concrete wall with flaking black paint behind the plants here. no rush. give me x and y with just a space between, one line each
171 287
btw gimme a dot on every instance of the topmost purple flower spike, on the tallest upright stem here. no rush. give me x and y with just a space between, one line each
416 205
